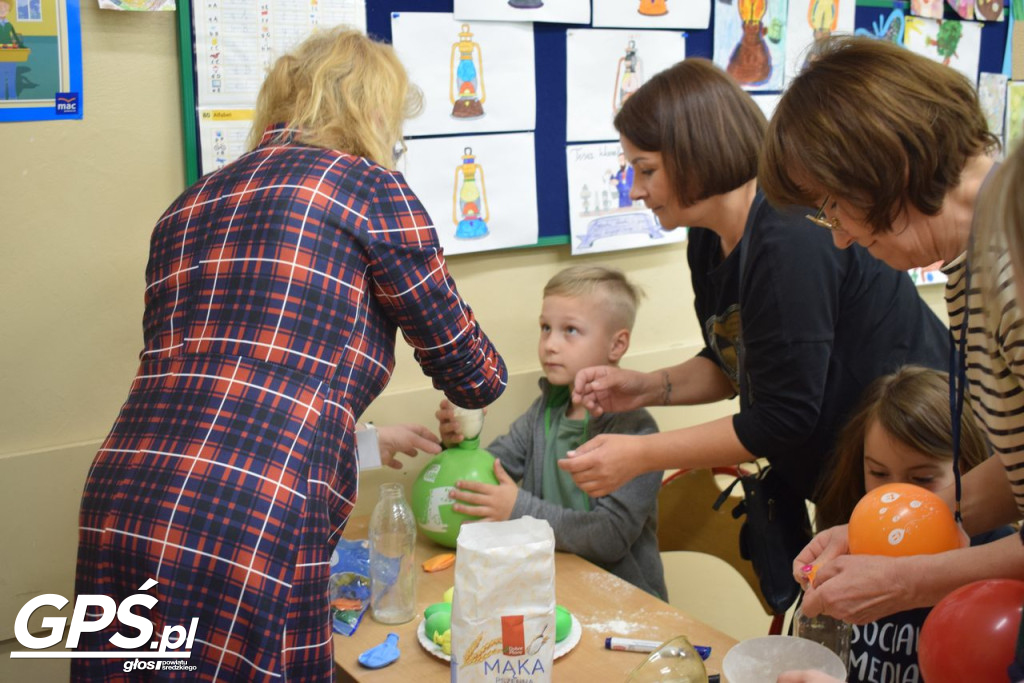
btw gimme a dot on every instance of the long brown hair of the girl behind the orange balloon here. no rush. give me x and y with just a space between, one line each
913 406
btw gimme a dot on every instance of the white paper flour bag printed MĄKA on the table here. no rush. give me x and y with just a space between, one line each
503 611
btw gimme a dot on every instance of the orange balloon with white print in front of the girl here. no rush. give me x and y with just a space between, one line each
900 520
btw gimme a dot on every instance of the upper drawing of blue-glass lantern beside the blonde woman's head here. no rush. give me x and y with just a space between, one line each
476 77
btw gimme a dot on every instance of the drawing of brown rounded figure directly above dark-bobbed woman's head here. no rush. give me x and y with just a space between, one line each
750 41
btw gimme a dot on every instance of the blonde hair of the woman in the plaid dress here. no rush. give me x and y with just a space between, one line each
342 91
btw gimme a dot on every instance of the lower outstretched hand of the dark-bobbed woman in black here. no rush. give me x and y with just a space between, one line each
605 463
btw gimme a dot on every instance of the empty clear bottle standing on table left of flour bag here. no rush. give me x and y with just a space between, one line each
393 545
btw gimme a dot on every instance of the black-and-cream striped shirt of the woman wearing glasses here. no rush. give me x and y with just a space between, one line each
995 361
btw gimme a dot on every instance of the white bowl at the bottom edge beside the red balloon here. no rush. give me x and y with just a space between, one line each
762 660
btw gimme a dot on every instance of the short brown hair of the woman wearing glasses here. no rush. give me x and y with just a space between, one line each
875 124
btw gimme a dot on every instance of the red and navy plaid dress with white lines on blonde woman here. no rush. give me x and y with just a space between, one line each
274 292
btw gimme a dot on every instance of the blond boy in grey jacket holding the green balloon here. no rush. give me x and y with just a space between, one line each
586 319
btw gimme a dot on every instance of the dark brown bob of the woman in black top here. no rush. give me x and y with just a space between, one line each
708 131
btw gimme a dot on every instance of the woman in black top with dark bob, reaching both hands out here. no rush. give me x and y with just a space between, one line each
792 326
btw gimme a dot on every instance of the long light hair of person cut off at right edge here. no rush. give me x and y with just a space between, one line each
999 235
